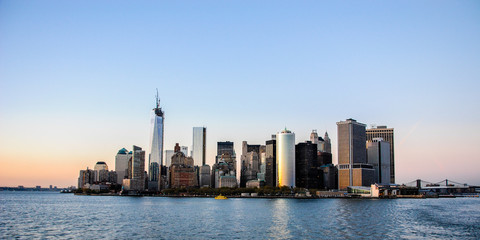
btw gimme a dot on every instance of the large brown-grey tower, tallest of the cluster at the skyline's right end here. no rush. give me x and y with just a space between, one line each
352 156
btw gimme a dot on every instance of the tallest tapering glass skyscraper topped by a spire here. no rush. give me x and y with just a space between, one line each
156 140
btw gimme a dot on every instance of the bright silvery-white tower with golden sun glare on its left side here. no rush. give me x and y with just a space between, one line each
285 158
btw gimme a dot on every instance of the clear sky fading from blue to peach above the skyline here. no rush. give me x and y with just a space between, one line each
78 79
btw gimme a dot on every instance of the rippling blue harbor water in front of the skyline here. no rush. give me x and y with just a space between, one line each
44 215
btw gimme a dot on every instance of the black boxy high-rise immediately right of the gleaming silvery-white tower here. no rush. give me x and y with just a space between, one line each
307 169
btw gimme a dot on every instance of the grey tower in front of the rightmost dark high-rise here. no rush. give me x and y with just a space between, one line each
378 155
